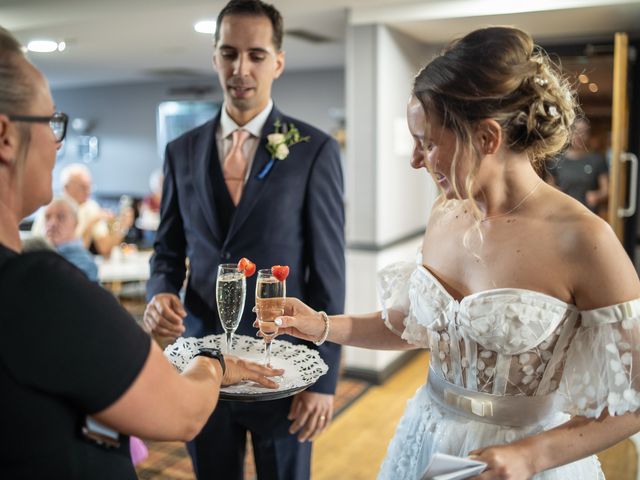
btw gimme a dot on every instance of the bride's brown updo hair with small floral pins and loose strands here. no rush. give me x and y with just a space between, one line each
497 73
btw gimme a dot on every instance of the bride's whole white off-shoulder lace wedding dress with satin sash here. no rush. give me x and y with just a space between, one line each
505 364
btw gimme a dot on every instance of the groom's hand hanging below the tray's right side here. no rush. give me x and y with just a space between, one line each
311 413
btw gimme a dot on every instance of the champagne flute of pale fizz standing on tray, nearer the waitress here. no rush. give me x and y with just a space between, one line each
231 290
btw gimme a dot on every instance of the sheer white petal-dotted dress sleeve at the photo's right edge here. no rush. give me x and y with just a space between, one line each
603 362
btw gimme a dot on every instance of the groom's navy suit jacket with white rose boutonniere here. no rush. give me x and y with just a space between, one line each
293 215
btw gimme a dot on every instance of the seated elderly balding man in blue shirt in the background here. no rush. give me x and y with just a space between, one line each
61 221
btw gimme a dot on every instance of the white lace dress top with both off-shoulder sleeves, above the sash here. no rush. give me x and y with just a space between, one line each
519 342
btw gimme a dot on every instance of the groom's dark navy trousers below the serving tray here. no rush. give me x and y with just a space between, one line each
218 451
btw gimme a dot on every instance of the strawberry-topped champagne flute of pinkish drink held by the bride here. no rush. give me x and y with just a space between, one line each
270 295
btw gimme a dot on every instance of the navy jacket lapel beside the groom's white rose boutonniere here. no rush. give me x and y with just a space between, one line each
255 185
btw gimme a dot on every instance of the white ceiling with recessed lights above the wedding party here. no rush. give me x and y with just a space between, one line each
134 40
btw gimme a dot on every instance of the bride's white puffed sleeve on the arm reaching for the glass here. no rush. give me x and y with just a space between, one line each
394 285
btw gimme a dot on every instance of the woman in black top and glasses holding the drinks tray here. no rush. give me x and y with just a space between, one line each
67 348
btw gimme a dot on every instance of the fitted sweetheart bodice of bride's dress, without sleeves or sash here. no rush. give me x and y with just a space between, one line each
498 341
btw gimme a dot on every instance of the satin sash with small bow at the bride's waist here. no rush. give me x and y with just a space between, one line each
512 411
